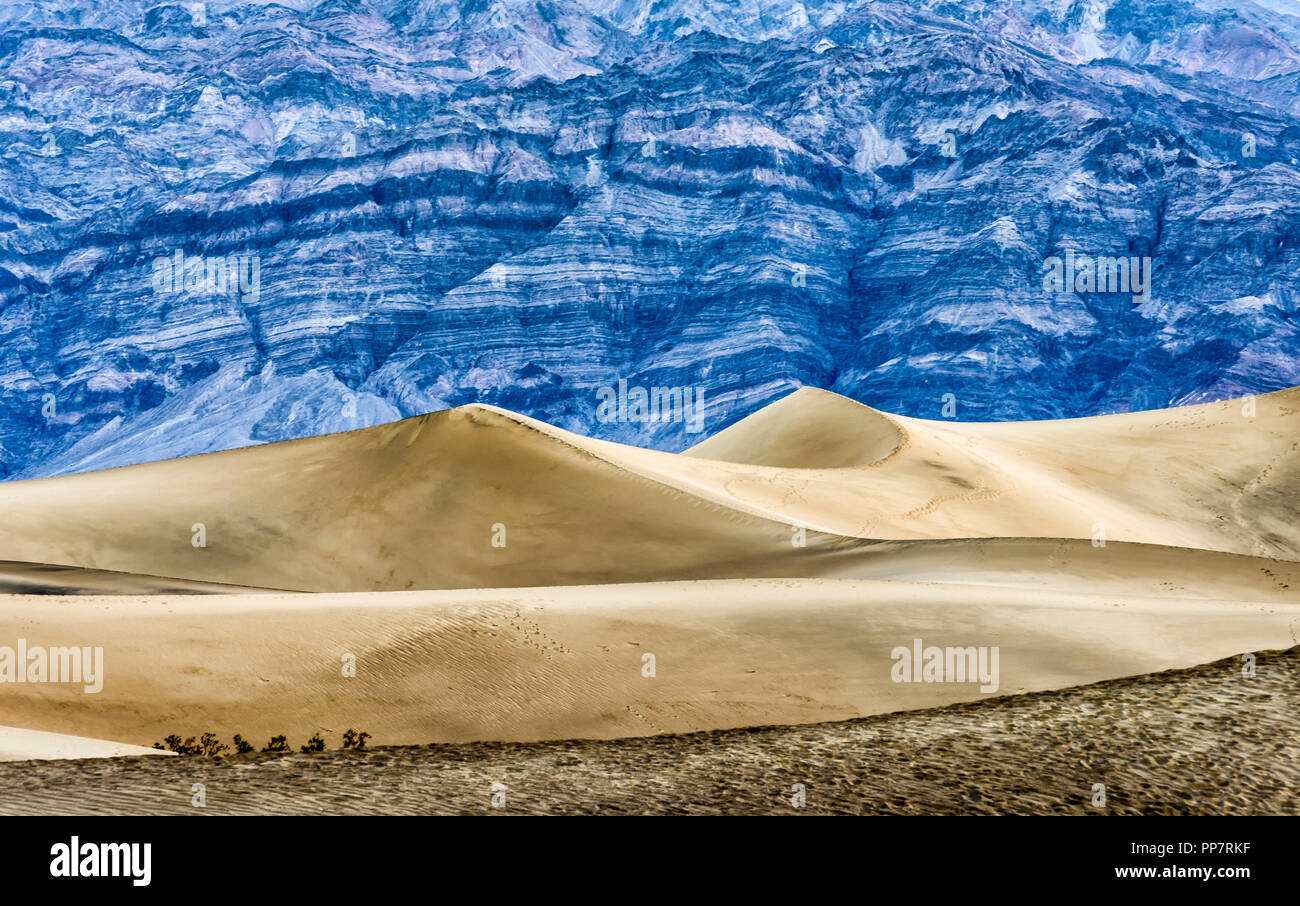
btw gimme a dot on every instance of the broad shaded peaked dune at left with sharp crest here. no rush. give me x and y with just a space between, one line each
411 505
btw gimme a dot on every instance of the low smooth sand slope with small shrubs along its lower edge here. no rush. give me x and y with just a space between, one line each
570 662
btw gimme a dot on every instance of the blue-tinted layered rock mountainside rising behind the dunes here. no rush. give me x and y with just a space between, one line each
521 205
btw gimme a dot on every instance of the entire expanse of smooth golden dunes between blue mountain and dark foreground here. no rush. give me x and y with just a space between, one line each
770 571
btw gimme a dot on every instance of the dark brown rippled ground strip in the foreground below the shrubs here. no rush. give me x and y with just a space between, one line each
1199 742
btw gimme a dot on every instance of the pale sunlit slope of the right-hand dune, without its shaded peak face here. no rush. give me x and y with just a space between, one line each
1207 476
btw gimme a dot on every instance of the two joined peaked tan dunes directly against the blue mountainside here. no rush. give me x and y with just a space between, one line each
419 504
